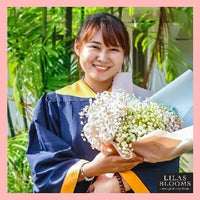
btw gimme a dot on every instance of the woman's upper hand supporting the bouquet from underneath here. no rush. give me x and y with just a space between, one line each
102 164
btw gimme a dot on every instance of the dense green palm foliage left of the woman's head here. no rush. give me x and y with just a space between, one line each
38 62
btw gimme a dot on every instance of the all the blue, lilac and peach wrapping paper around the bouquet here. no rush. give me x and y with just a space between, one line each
160 145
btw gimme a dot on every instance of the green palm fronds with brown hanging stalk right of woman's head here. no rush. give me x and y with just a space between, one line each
163 47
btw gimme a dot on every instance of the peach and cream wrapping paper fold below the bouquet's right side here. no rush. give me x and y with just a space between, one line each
160 145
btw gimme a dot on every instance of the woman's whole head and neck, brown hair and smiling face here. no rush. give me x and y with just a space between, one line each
101 46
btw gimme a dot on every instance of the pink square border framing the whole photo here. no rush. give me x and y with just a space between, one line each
99 3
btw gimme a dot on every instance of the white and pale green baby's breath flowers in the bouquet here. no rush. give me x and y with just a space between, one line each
119 118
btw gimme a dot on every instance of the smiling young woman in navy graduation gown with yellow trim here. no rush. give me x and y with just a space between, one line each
59 158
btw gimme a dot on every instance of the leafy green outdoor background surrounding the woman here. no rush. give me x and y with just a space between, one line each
40 60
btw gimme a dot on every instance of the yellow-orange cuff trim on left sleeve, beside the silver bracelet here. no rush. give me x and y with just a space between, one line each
71 177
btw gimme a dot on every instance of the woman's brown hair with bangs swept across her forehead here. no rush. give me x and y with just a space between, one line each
113 30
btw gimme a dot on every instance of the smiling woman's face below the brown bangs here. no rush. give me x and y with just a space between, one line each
99 62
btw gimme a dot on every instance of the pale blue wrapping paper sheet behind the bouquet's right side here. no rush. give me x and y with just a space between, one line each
178 94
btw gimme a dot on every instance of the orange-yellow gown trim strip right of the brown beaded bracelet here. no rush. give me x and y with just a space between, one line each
134 182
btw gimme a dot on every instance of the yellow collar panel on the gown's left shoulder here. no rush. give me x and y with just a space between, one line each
78 89
